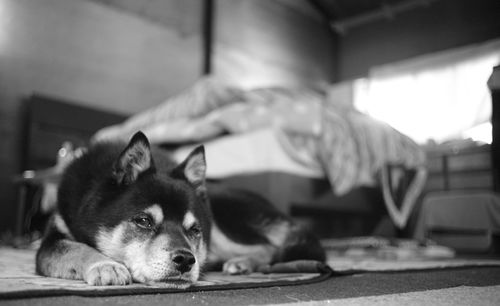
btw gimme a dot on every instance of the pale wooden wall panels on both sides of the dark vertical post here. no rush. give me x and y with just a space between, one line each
125 56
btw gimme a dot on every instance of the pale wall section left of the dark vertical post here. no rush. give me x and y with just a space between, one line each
91 53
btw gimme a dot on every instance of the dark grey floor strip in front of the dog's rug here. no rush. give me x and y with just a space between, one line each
360 285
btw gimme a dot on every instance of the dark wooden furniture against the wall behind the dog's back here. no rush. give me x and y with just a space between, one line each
49 123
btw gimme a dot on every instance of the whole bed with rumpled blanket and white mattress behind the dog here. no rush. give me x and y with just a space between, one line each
306 152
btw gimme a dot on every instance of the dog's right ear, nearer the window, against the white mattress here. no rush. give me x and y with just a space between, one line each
193 168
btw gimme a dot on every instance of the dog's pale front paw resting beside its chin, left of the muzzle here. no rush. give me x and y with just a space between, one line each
106 273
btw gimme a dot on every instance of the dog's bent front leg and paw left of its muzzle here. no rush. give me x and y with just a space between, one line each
61 257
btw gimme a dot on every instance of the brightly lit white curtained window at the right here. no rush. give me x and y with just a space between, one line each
436 97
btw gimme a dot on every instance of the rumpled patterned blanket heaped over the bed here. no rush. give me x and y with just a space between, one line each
348 147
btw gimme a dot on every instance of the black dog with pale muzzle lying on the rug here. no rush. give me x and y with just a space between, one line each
127 213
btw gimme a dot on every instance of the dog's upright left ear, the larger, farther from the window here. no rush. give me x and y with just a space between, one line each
134 160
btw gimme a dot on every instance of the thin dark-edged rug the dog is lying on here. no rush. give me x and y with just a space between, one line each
19 280
